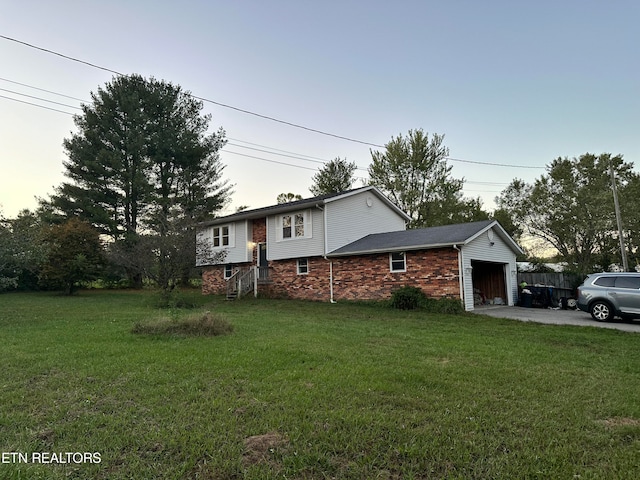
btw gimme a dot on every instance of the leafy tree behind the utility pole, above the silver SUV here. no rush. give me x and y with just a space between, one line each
571 208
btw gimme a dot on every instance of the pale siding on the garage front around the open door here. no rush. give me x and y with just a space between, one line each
481 249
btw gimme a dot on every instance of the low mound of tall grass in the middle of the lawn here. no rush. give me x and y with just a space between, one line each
205 324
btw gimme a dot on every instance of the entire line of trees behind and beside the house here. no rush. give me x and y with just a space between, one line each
142 170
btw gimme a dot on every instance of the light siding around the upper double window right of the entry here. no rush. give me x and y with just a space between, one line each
312 245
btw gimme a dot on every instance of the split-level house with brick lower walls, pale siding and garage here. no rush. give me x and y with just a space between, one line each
354 245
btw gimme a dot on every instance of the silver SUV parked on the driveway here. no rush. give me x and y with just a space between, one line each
605 295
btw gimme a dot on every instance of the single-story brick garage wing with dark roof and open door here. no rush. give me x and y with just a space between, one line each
470 260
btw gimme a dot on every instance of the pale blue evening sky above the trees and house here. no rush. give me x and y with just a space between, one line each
511 85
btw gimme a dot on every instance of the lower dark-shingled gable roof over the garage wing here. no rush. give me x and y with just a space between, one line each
424 238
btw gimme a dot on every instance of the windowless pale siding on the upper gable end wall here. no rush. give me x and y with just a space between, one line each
351 218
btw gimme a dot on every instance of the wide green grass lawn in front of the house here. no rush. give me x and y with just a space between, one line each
310 390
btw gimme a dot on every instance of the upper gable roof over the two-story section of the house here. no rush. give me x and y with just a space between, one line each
301 204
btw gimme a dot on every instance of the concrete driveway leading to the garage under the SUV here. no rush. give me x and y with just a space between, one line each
555 317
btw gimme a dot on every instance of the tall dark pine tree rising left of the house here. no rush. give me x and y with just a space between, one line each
142 160
